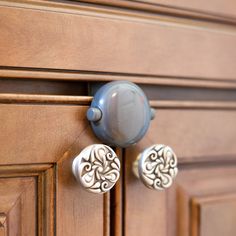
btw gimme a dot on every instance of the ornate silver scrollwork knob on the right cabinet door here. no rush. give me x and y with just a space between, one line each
156 167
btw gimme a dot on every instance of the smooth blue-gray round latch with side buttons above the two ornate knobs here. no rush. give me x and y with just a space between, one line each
120 113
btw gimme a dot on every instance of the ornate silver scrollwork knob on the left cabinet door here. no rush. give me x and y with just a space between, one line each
97 168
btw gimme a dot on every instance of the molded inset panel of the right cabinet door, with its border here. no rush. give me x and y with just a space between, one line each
203 198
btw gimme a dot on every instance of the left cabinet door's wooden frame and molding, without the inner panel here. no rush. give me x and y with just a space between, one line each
82 209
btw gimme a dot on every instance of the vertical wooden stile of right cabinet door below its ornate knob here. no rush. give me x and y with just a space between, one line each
145 212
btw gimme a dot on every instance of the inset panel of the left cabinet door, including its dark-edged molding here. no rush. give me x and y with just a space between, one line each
27 200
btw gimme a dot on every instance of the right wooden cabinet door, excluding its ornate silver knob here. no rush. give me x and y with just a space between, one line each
201 202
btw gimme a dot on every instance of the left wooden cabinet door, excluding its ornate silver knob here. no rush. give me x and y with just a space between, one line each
38 194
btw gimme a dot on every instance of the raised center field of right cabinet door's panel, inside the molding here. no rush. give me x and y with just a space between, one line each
208 212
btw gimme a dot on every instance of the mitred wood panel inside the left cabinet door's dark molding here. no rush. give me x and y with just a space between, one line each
18 203
